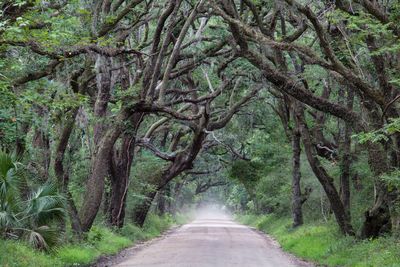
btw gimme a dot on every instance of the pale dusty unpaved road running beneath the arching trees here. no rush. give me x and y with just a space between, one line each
212 240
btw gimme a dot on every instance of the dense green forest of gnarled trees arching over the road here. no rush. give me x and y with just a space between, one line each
118 113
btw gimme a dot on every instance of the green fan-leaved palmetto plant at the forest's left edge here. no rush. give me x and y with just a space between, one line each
33 217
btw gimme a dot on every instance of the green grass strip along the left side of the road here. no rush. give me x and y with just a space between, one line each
100 241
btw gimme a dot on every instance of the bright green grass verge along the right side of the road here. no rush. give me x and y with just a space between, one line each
323 244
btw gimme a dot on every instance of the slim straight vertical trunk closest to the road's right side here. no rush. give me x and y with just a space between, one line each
297 212
